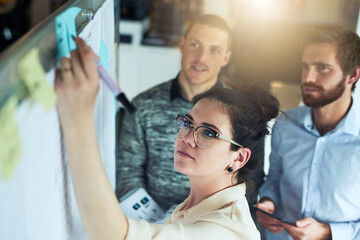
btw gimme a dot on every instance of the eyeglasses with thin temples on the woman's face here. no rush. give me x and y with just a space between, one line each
204 136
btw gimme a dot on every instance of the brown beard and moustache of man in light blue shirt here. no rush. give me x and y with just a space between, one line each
325 97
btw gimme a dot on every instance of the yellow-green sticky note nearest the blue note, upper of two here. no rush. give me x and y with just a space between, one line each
34 77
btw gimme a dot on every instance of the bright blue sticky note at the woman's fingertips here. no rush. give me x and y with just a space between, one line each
65 28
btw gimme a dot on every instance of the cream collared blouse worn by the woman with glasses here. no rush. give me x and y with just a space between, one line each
224 215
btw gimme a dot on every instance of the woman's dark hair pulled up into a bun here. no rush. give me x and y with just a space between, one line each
249 108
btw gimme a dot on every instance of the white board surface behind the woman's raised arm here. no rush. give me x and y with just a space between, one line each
36 198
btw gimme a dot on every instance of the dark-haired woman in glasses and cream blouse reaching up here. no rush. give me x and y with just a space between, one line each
216 148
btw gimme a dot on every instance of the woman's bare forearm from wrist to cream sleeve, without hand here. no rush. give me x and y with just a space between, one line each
98 206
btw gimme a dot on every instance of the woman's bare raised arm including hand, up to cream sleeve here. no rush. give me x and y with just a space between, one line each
77 88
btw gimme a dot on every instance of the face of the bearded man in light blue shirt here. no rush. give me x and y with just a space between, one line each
323 81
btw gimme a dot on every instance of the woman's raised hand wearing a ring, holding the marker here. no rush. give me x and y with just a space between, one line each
77 84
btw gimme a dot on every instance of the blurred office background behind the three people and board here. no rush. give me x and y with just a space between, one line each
266 35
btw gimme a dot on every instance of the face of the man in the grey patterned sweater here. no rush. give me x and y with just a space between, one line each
204 52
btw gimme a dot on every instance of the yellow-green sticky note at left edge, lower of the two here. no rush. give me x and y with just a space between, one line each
10 147
